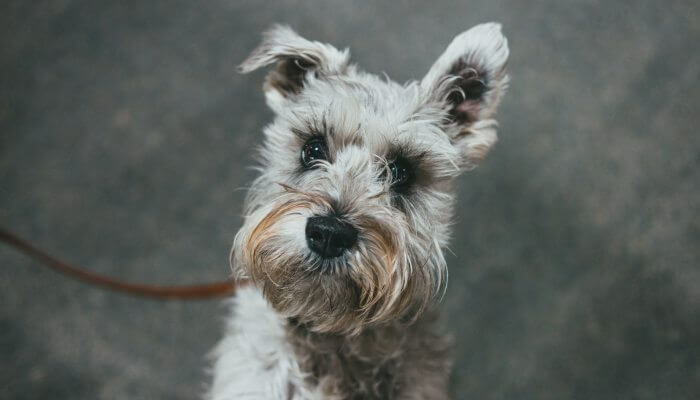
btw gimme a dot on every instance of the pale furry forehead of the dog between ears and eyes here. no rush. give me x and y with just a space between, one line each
376 113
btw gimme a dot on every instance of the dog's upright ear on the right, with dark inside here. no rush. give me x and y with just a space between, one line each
468 81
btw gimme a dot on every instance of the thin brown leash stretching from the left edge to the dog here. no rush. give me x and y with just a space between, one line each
188 292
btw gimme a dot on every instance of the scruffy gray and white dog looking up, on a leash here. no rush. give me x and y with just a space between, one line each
346 223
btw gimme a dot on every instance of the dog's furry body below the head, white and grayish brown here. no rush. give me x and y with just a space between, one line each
263 356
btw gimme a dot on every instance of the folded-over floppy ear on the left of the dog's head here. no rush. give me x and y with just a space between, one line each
297 60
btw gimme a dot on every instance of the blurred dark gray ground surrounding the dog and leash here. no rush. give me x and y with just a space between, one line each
125 141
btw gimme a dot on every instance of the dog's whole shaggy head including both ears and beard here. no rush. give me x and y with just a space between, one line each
346 224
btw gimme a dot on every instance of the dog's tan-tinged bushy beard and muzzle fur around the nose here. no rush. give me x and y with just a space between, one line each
376 281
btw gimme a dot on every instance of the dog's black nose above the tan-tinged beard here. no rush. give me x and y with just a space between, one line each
328 236
